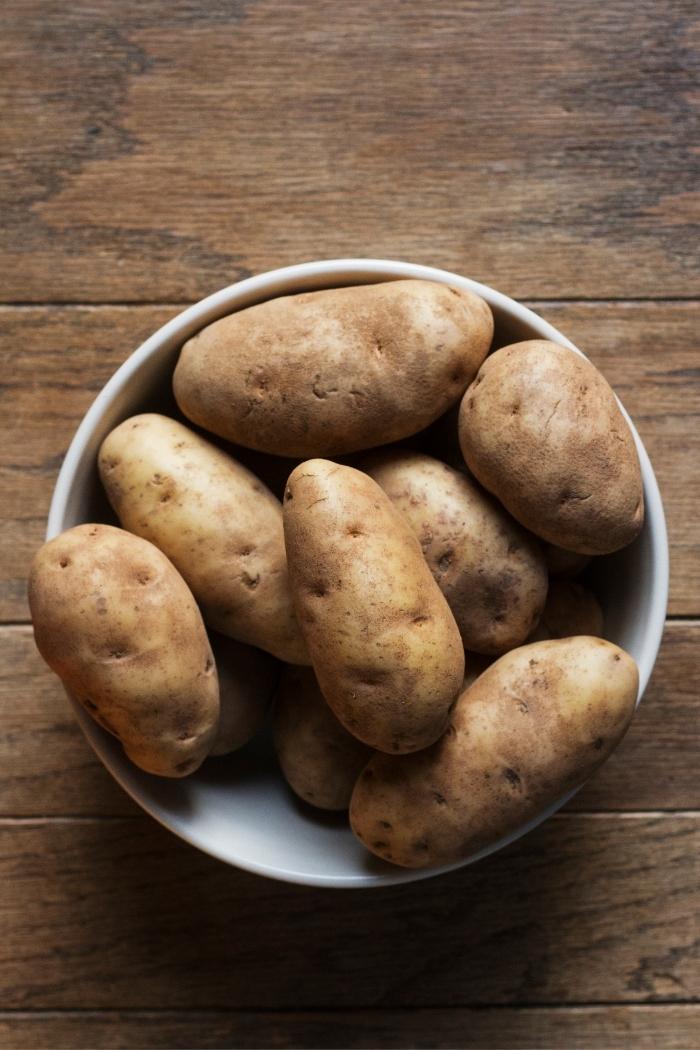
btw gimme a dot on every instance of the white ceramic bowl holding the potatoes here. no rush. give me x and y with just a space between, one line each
240 810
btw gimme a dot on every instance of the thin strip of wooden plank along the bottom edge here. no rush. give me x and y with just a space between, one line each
576 1028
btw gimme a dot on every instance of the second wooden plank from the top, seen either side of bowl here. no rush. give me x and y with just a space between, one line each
57 361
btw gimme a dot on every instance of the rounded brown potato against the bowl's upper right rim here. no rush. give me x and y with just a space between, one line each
541 429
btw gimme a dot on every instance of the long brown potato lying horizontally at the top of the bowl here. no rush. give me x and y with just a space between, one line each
332 372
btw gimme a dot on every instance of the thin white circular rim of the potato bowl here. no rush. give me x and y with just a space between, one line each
266 286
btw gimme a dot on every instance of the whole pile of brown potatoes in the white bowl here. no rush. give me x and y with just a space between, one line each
352 603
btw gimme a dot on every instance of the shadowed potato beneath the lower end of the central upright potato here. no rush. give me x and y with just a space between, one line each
321 760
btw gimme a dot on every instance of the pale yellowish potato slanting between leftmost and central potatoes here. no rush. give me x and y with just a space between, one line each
217 522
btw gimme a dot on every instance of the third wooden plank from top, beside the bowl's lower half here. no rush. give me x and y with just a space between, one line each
48 769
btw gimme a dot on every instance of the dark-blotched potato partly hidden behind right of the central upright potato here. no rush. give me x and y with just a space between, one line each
490 570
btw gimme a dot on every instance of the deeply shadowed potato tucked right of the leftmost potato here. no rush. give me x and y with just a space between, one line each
247 681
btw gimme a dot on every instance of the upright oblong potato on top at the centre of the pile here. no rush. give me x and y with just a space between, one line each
386 648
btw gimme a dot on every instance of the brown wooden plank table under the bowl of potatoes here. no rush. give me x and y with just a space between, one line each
153 153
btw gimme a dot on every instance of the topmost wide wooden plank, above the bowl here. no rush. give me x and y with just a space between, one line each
547 160
